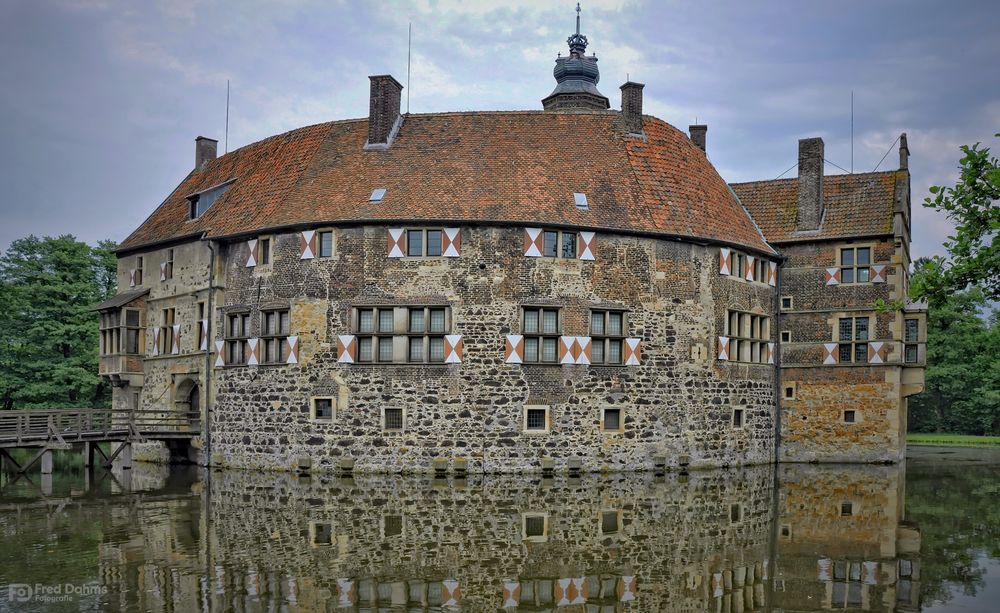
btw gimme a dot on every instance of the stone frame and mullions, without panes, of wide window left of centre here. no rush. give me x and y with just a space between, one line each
399 338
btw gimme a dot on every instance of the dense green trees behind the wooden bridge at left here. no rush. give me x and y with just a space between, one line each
48 332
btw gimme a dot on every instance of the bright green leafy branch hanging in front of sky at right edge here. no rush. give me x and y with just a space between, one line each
973 204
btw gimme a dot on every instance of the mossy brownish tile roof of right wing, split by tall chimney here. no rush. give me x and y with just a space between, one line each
855 205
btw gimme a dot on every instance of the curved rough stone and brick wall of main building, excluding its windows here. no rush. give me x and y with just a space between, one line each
678 402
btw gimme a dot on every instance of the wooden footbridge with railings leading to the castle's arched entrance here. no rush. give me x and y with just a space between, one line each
48 430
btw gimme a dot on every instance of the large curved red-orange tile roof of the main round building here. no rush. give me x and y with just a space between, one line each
511 167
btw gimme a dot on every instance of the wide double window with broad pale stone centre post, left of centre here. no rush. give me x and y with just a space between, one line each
414 334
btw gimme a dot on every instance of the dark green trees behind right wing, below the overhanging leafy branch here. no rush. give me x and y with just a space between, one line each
962 380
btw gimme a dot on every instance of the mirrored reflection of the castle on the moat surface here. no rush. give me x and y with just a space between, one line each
712 541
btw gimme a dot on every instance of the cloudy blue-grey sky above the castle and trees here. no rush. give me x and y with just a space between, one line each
101 99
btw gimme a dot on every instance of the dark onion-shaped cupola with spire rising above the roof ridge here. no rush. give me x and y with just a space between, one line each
576 78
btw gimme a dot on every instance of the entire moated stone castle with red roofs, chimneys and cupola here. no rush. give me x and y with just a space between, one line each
570 288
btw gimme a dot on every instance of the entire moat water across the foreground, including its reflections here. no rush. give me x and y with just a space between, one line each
919 537
